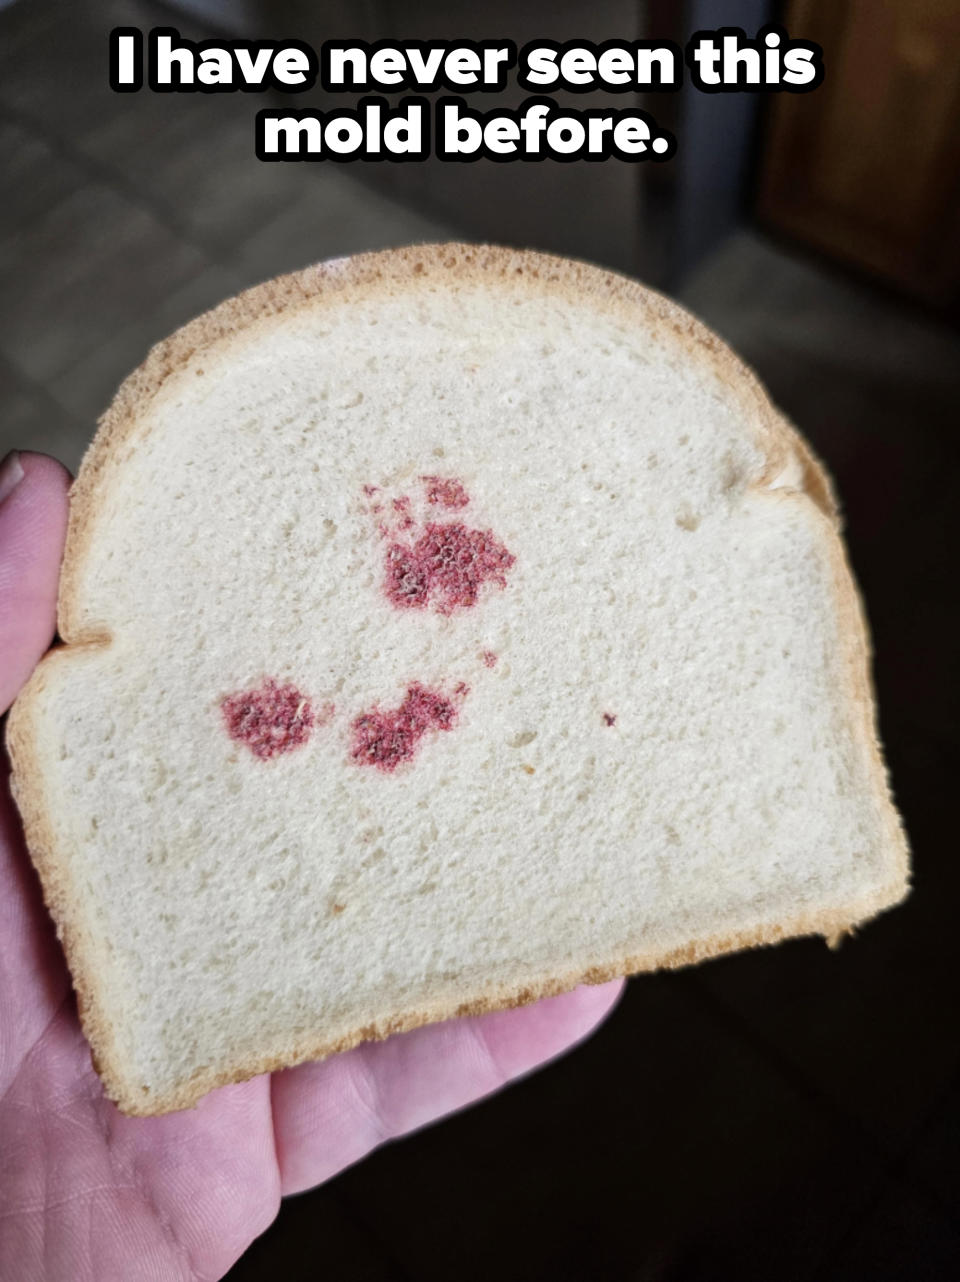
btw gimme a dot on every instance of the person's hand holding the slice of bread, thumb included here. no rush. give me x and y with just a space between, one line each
89 1194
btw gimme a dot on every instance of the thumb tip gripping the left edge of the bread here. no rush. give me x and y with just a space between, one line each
33 531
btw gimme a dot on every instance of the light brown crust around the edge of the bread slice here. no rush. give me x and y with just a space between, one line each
339 281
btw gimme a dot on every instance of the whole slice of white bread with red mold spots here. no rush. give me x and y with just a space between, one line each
443 629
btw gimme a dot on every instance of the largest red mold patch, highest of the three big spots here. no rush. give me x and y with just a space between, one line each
445 569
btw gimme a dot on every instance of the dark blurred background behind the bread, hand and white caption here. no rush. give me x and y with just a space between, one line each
785 1115
